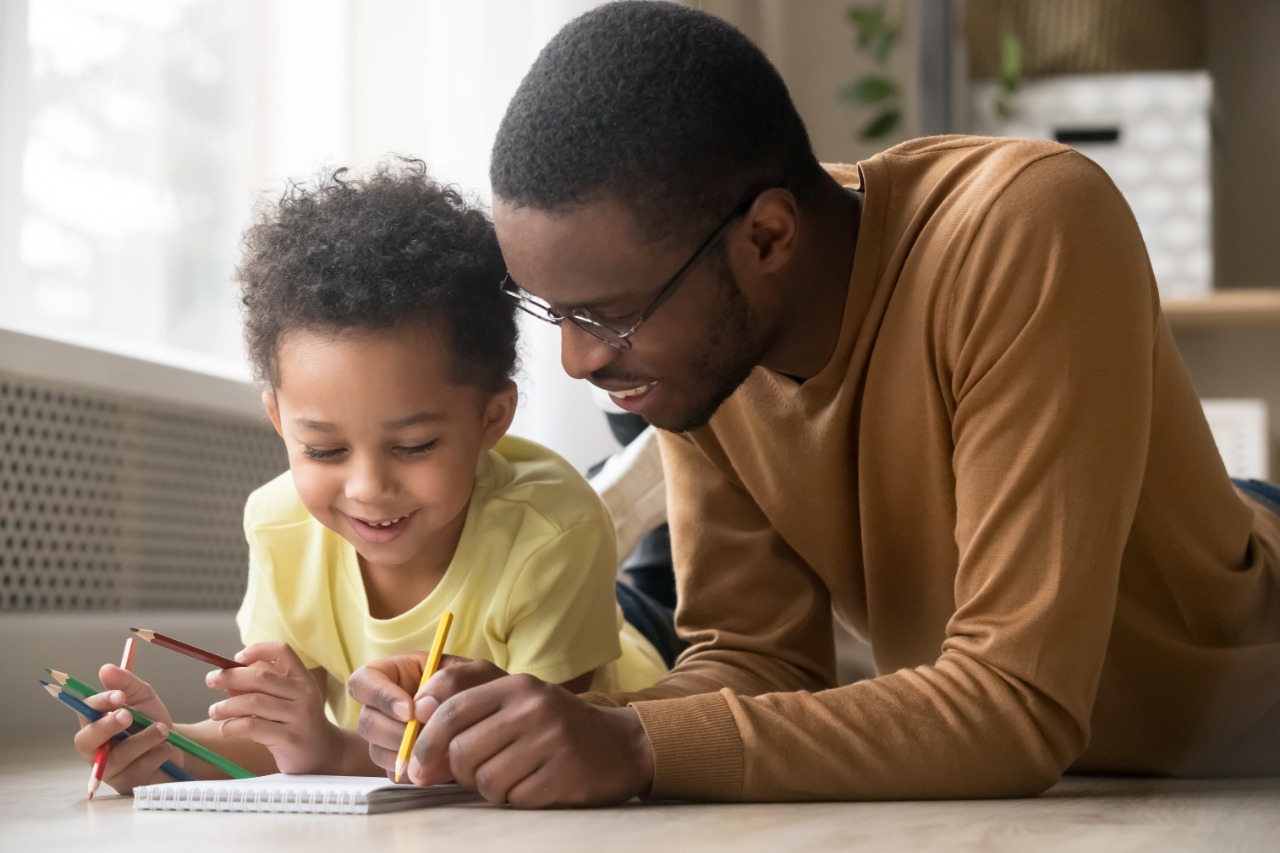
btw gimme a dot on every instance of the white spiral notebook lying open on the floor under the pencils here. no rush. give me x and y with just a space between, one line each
298 793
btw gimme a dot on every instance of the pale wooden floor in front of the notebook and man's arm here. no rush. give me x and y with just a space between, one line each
43 808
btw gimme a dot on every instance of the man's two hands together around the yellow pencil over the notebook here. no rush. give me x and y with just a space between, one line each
514 738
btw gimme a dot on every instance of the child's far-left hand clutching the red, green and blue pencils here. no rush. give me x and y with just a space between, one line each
136 760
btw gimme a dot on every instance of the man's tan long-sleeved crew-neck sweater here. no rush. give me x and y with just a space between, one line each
1004 482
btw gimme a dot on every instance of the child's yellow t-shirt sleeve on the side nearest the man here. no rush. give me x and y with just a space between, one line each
561 608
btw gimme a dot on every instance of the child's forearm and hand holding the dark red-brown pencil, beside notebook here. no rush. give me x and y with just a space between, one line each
276 713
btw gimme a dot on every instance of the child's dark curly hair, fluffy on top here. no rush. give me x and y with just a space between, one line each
376 253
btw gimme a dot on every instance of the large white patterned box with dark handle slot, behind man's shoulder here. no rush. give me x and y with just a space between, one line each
1150 133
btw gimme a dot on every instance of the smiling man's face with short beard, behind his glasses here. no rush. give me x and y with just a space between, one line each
687 359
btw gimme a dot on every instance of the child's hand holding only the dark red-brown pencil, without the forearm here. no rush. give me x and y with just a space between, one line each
276 701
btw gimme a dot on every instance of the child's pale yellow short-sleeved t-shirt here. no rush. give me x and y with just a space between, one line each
532 585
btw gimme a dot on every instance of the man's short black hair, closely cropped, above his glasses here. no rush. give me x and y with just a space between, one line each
668 110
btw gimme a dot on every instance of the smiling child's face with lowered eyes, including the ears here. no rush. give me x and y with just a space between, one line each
383 444
